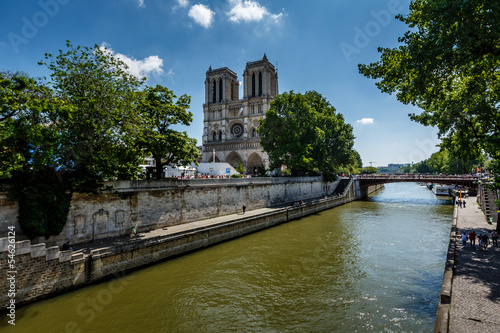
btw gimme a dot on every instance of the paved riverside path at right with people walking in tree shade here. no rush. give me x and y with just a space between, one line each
475 293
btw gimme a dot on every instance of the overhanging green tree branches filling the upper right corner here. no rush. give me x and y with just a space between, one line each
448 65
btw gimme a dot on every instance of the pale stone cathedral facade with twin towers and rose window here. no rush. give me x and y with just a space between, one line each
230 123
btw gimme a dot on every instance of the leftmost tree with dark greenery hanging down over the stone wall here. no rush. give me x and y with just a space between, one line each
29 137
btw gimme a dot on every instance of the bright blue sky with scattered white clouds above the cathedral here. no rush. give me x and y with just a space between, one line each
316 45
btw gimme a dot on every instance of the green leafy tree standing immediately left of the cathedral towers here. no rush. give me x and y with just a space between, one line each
158 112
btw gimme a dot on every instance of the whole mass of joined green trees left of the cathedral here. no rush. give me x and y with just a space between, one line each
91 123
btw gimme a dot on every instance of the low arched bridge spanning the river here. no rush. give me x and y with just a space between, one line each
469 182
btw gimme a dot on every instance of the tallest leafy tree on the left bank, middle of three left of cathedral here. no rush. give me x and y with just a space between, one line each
98 132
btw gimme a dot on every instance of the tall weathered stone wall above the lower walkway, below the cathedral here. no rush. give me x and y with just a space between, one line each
153 204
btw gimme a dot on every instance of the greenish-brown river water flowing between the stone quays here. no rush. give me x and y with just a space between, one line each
368 266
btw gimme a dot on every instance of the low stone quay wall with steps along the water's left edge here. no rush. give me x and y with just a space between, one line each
42 272
